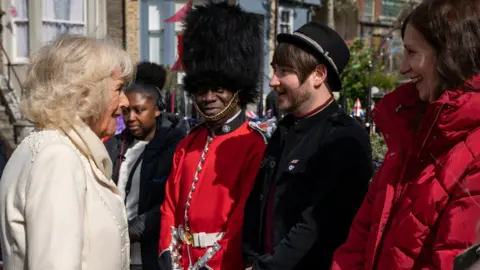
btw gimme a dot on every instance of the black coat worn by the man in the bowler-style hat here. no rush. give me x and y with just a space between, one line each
320 168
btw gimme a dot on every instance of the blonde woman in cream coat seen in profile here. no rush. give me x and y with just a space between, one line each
58 207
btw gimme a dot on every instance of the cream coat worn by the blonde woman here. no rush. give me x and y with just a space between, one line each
58 208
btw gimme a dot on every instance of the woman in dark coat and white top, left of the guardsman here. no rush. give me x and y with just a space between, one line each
142 159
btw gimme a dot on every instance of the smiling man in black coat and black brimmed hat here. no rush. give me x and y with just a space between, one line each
317 165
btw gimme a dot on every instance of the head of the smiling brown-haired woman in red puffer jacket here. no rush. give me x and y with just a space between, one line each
441 54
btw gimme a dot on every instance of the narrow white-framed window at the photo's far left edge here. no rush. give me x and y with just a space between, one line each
19 14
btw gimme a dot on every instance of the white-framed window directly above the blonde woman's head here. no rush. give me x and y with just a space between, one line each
63 17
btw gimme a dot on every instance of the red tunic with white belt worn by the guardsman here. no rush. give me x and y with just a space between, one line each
216 203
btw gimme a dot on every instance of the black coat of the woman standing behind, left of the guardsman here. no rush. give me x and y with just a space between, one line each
156 166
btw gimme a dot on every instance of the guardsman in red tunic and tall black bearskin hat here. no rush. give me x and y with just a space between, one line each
215 166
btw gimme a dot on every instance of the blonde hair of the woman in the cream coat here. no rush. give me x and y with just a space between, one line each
68 78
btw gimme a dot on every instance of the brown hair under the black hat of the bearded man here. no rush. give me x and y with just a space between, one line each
292 57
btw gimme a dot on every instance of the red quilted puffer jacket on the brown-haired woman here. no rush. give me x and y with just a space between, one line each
423 206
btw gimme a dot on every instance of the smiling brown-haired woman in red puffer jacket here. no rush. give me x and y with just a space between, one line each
423 206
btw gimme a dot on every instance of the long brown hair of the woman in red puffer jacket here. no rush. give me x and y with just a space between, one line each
452 28
